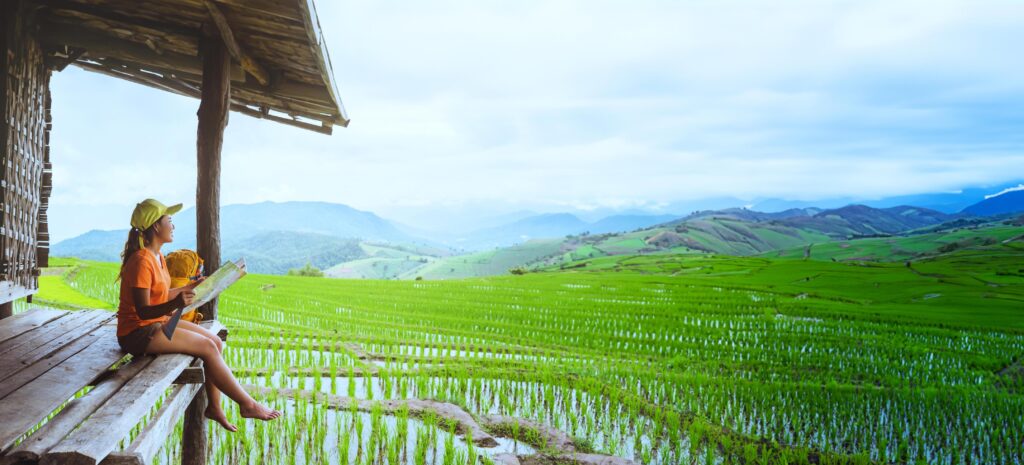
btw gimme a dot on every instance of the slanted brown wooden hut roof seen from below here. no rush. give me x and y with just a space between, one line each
281 69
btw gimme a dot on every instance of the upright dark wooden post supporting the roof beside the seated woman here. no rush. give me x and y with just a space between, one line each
212 114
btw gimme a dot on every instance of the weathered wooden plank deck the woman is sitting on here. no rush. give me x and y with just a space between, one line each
48 356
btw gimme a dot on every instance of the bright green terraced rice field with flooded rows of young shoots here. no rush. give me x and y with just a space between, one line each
663 361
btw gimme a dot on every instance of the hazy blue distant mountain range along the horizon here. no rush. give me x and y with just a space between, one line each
277 237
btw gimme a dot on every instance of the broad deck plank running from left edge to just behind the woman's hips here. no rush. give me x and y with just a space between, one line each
31 404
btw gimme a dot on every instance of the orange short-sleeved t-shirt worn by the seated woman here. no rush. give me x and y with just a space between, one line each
143 271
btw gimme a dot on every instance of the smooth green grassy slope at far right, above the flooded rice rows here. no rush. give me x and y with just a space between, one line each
978 287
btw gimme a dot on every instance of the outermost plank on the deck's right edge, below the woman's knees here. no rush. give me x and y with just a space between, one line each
149 442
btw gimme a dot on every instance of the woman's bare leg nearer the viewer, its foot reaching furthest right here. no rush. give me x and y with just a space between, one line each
185 342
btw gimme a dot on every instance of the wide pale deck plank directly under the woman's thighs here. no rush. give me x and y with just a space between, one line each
99 435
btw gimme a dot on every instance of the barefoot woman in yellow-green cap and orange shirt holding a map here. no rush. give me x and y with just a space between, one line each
148 302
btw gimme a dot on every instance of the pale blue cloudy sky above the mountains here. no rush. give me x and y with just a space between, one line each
486 108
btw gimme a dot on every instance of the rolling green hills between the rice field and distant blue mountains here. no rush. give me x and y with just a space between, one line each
744 233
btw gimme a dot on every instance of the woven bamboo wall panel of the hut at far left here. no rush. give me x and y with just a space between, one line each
24 155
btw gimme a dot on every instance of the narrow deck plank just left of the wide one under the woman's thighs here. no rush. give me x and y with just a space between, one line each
75 413
